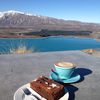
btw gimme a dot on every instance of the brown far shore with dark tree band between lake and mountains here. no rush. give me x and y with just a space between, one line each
25 33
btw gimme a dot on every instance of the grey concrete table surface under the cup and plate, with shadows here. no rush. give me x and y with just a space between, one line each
17 70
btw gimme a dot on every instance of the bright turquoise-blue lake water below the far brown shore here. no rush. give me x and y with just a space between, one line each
48 44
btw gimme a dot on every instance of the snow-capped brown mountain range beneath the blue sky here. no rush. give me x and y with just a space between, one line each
16 19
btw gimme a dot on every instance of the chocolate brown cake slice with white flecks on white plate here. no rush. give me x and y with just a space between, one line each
47 88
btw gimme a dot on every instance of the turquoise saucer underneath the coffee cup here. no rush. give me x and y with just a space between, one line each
72 79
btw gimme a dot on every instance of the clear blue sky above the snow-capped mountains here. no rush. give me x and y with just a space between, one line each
81 10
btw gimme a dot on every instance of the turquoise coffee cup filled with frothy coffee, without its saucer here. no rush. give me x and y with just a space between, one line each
64 69
